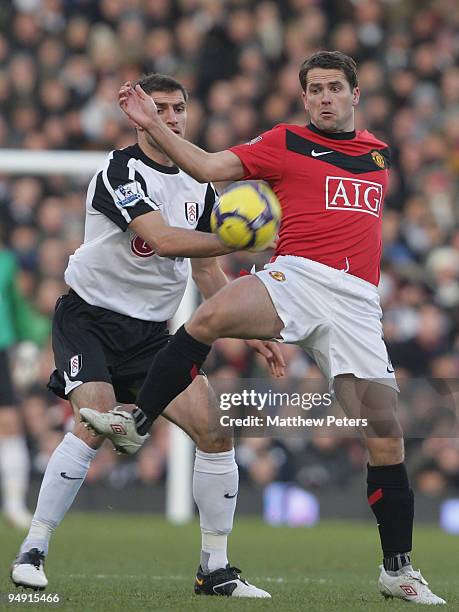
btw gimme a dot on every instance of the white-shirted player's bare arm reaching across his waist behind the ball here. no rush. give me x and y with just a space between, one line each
168 241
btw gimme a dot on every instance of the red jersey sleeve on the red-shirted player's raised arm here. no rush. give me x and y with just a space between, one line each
263 157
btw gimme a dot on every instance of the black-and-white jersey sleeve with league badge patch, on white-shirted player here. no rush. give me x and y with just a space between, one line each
121 191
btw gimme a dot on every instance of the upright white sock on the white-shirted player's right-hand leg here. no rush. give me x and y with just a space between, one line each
215 475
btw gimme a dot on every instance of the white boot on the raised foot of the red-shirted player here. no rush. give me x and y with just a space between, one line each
117 425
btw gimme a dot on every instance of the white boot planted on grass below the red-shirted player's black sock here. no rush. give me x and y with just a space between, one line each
409 585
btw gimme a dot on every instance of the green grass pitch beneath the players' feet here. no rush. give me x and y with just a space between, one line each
113 562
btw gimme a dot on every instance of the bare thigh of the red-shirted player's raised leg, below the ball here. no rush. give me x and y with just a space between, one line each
241 309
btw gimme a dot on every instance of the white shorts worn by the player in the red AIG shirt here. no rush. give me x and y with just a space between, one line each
334 316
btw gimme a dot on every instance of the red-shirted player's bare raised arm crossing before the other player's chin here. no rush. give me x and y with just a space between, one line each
203 166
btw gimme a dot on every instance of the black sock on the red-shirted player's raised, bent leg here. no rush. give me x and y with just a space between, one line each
173 369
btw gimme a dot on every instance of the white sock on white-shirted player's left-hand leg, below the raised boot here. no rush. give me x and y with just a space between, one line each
64 475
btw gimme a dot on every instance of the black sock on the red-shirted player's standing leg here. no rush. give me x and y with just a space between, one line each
392 502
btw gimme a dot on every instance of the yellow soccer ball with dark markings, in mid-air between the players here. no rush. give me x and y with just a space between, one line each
246 216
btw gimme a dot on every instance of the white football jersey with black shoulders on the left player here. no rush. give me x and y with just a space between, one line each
114 268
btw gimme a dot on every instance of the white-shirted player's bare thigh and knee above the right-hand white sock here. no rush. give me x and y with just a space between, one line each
195 412
